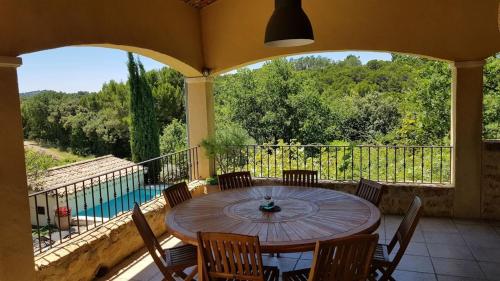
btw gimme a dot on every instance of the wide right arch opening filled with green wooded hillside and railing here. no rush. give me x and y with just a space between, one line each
349 118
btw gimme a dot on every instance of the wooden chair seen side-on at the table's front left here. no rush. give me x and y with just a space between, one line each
169 261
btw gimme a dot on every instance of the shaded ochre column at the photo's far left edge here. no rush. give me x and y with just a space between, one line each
16 248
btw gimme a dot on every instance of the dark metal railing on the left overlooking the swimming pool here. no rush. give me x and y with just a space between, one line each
65 212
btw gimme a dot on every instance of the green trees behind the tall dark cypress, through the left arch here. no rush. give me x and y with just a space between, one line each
98 123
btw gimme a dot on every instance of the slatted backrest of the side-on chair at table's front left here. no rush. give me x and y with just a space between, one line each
147 235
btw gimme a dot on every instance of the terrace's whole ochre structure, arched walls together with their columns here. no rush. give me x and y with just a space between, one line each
203 38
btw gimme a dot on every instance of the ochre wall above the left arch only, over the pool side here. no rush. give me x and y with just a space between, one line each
158 28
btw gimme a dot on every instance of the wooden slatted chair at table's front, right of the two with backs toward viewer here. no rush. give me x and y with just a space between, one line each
344 259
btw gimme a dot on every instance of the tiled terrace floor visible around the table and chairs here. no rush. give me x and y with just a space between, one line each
441 249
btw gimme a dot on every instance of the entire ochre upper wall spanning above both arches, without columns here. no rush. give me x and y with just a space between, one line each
230 33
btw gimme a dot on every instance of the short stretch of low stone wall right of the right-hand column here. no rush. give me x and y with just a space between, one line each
490 182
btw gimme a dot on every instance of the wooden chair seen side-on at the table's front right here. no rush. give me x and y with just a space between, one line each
381 260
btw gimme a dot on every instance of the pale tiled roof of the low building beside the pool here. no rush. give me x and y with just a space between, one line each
79 174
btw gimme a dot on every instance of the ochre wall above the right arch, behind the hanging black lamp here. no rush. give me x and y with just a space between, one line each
455 30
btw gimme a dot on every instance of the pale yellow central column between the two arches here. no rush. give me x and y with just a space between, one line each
200 118
